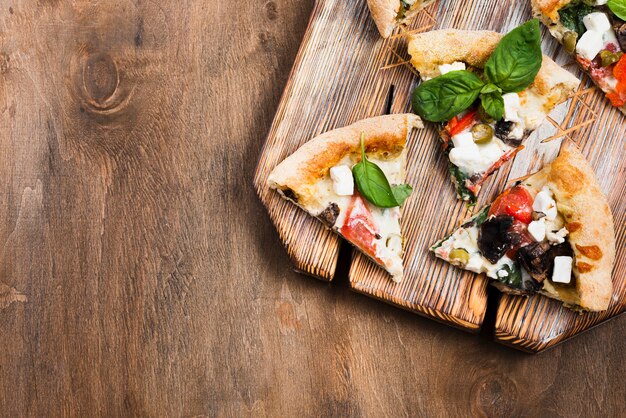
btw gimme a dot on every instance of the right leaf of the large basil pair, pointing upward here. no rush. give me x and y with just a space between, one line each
516 60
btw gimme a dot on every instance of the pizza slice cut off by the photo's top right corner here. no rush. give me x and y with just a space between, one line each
595 33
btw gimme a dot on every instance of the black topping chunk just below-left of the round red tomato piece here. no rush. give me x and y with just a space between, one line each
494 240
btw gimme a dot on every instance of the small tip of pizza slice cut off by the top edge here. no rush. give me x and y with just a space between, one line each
388 14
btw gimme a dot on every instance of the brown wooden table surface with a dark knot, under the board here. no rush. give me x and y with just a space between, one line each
141 276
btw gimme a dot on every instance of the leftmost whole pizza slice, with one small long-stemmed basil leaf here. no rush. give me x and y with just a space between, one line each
352 179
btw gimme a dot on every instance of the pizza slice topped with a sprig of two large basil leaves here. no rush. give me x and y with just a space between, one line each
488 92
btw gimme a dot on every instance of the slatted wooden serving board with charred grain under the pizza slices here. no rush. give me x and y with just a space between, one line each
345 72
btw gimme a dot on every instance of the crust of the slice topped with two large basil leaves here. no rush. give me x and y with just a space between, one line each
429 50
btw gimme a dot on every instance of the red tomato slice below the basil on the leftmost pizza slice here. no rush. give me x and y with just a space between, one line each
359 226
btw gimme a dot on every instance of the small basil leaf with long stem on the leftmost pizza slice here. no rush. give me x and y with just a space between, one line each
372 182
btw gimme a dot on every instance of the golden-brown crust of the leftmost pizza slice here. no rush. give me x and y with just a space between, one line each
384 135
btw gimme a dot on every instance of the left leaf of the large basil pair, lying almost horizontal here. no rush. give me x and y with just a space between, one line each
441 98
